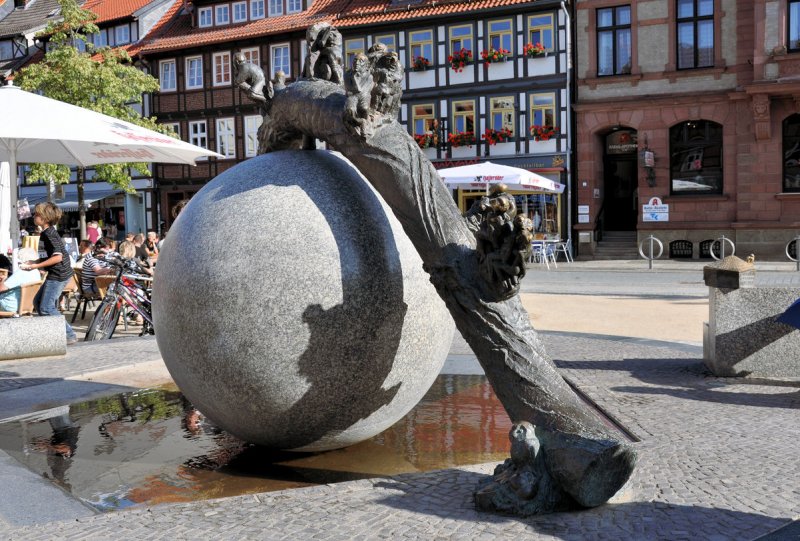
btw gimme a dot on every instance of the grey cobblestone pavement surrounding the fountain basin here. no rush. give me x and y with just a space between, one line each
718 460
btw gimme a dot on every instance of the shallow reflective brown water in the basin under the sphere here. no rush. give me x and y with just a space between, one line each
152 447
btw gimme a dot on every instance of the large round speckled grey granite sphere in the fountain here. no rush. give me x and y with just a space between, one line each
292 310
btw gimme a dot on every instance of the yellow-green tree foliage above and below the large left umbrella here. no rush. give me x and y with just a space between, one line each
101 79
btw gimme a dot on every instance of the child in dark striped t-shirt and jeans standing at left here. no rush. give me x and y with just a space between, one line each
57 265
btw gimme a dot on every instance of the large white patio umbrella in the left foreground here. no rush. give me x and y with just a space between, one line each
36 129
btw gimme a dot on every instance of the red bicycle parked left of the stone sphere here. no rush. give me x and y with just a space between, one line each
127 289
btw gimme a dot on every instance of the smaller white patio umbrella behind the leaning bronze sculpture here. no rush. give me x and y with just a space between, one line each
481 176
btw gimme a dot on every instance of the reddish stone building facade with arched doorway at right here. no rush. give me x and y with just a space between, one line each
695 103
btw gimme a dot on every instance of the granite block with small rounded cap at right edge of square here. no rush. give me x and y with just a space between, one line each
742 337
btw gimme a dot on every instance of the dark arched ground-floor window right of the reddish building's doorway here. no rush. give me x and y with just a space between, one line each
696 157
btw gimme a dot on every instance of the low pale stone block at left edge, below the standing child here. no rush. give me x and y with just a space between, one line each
25 337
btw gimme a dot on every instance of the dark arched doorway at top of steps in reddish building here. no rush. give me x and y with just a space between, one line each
620 180
